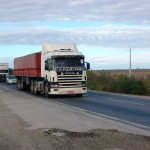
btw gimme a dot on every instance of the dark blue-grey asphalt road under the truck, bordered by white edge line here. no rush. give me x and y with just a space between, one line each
133 110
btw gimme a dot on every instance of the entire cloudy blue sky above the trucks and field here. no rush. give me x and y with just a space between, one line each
103 30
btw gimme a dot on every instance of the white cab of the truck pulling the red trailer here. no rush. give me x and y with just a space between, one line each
63 69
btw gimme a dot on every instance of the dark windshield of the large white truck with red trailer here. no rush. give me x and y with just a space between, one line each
69 62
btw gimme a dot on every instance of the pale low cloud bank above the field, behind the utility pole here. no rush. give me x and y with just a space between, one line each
119 61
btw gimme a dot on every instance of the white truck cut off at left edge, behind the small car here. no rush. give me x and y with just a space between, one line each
4 71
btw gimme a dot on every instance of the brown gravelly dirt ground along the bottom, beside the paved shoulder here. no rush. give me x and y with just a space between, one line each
15 136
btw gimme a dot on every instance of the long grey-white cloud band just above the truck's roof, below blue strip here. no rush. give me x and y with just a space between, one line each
104 36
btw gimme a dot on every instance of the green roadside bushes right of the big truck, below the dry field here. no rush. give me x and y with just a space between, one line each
117 84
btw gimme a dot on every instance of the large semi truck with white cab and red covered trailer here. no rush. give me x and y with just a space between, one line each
59 69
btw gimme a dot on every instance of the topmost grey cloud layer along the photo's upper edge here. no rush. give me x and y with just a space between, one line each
134 11
